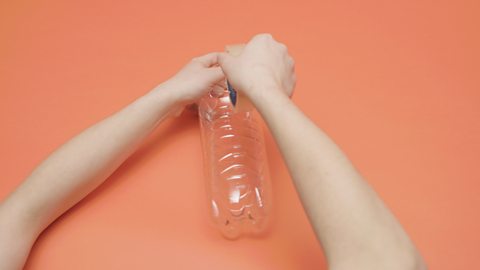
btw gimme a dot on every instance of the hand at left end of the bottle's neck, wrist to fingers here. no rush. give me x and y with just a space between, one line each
197 77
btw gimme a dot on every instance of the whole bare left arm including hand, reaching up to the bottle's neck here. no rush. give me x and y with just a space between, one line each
84 162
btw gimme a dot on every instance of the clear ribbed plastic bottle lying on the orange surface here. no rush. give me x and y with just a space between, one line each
235 165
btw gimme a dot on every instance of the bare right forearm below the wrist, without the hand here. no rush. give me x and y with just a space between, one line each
350 220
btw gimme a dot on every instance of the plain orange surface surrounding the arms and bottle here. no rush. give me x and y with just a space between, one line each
395 84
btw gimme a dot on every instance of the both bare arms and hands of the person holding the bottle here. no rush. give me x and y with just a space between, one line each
355 228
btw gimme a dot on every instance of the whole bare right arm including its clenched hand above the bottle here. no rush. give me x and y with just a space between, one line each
356 229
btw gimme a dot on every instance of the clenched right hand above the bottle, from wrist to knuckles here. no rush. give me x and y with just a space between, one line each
263 66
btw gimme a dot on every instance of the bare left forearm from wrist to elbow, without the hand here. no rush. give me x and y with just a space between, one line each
84 162
